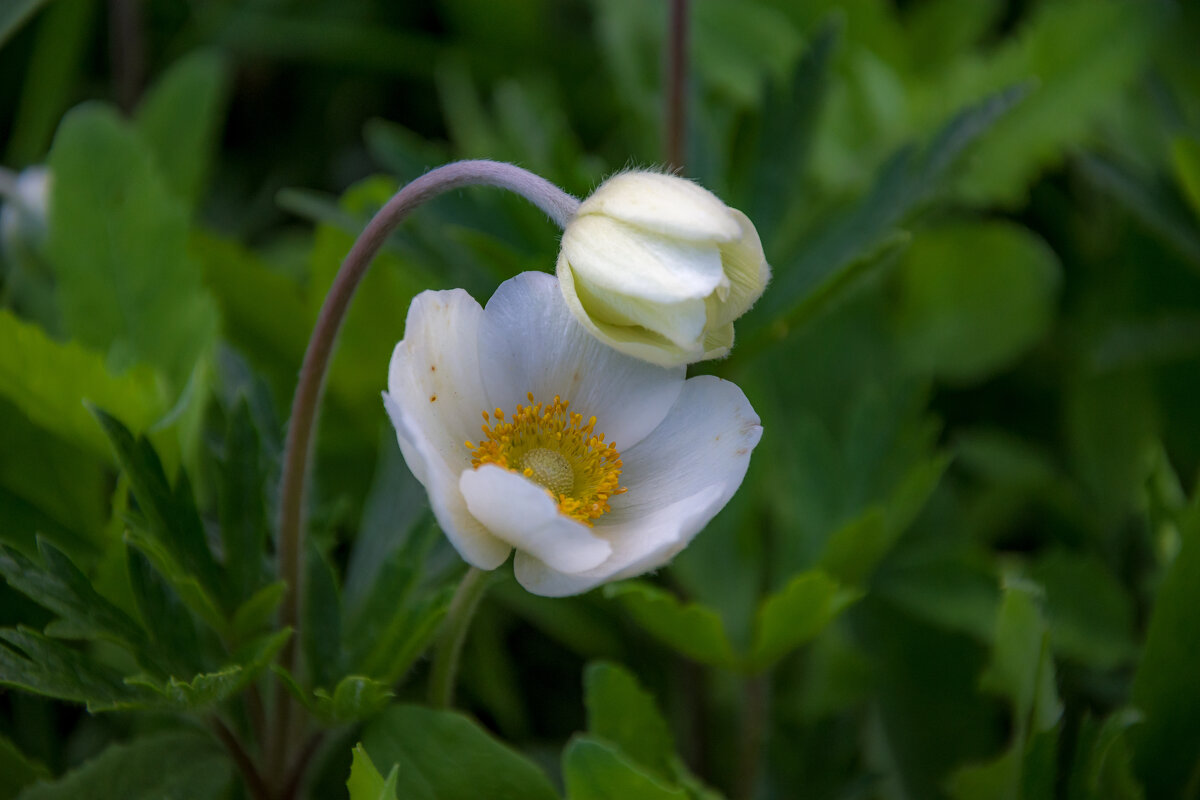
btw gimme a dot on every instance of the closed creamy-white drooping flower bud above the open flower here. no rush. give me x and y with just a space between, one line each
659 268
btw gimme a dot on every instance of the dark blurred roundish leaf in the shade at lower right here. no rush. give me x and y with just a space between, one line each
1090 615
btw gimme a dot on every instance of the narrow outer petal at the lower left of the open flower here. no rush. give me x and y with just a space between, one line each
475 544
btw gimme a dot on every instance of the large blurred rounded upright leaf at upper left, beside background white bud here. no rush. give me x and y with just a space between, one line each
118 240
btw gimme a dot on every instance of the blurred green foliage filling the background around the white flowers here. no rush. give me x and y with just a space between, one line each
964 563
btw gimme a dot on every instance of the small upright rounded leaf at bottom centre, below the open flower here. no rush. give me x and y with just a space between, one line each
625 714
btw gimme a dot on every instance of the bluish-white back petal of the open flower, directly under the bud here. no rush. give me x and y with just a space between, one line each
530 342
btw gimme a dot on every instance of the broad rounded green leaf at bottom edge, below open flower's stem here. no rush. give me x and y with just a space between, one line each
446 756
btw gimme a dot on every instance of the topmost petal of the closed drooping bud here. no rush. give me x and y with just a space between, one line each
663 204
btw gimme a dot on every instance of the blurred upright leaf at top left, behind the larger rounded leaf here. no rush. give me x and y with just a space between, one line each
181 118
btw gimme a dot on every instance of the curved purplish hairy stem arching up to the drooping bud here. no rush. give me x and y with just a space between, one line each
559 207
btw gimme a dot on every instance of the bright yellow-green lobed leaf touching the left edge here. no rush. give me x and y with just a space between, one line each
50 381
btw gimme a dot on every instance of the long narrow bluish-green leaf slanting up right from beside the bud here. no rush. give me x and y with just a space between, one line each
907 184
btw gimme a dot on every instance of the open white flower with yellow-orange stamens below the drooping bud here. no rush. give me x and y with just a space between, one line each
592 465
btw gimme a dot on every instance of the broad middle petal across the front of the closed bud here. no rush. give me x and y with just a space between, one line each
620 258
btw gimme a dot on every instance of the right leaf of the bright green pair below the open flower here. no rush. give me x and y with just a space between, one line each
796 616
